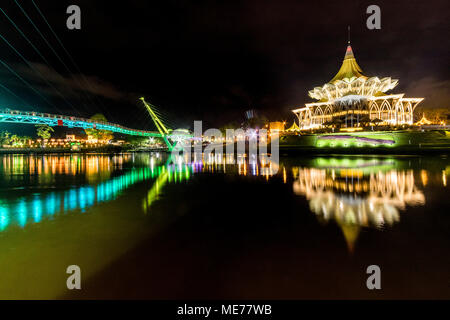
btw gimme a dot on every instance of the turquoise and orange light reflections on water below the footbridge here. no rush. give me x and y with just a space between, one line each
33 208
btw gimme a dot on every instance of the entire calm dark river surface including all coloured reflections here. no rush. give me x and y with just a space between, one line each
141 227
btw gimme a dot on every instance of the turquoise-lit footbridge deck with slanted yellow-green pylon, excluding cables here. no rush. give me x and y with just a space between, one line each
169 136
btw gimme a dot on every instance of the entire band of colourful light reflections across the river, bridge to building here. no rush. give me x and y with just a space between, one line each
354 192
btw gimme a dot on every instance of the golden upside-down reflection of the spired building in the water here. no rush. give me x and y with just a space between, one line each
357 193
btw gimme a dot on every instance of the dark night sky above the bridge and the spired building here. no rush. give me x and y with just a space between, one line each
211 61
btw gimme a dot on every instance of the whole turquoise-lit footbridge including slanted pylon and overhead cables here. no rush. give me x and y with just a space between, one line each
170 137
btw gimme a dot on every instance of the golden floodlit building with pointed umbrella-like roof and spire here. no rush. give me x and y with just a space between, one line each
352 99
